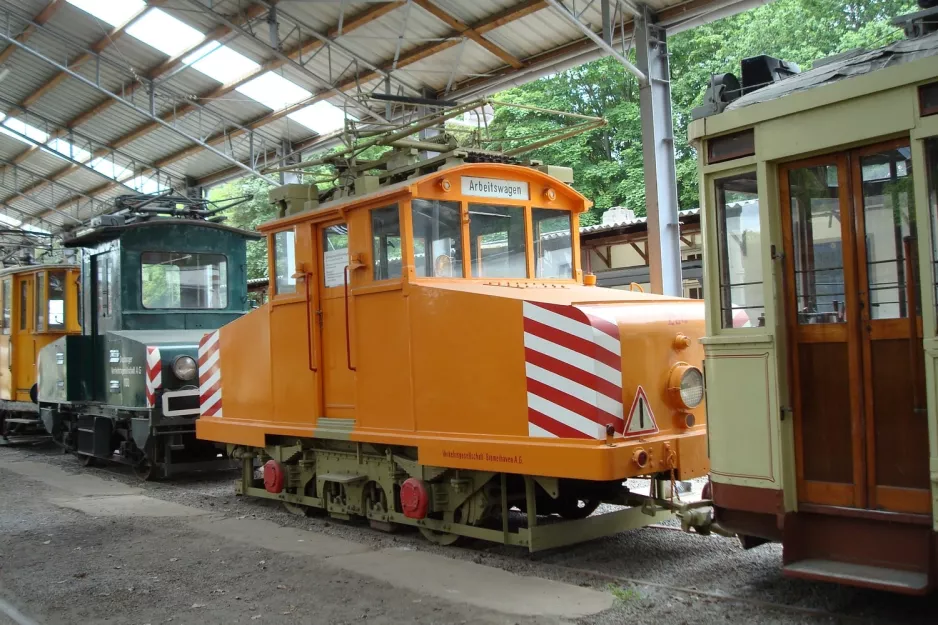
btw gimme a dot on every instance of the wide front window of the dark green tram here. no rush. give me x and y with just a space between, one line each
184 280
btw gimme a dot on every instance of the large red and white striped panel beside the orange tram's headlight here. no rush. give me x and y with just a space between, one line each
573 362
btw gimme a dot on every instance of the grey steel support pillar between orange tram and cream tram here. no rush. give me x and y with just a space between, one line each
664 246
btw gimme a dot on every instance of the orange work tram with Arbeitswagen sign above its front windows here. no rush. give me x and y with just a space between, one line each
432 355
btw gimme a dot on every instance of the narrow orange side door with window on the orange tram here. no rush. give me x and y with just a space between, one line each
337 379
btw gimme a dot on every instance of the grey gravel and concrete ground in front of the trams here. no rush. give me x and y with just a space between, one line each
97 546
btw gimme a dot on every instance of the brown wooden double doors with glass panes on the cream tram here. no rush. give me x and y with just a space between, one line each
855 330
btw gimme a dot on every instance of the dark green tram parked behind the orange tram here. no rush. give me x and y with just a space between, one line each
157 276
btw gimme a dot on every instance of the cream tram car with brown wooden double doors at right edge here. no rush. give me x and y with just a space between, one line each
822 338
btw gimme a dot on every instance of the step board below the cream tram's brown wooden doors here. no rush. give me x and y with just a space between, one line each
882 578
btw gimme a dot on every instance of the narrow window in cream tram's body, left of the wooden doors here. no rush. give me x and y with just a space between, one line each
742 302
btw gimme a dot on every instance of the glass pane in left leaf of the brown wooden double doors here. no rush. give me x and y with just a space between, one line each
818 244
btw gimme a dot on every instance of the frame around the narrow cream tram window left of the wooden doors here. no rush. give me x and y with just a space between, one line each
713 252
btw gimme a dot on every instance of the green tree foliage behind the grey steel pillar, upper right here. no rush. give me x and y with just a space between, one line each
608 164
